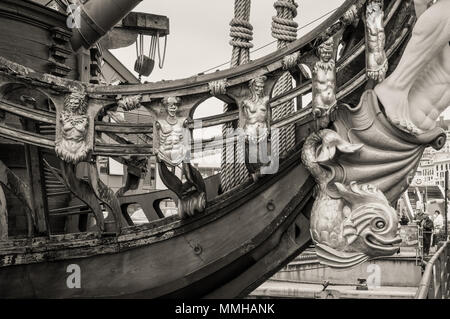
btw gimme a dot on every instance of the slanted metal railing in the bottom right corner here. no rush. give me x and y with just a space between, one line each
435 283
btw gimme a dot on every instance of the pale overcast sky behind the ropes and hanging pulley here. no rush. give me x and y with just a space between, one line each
199 38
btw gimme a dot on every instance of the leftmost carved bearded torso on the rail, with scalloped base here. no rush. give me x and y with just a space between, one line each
73 147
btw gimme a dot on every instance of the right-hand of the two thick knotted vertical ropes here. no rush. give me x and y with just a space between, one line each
284 29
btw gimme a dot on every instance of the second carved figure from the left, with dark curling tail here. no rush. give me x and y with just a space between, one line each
172 149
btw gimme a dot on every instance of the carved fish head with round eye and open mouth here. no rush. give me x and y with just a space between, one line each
371 224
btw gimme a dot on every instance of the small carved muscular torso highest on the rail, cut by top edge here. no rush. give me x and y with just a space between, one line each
376 60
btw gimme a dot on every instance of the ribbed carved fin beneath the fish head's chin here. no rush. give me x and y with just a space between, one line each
336 259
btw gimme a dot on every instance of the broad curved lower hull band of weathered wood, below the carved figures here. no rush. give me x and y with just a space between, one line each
170 257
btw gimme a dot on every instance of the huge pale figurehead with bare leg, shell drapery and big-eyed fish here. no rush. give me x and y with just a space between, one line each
363 164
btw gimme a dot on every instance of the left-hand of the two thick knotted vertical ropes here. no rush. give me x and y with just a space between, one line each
233 170
